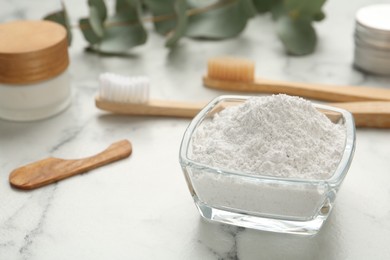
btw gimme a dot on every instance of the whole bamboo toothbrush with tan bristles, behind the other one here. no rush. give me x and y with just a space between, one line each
235 74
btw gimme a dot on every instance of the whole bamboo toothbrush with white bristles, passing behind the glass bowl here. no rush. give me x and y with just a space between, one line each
113 98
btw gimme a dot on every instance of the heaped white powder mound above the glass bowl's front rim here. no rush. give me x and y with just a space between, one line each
276 135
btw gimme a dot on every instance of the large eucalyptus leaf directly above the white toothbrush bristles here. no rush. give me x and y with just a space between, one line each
124 30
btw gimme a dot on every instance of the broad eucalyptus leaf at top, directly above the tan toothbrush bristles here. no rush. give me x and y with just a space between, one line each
226 21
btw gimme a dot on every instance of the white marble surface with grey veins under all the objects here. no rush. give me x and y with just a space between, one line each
140 208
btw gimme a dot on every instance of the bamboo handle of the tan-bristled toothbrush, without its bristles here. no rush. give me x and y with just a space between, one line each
314 91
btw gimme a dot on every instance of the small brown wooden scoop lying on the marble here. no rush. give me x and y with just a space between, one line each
49 170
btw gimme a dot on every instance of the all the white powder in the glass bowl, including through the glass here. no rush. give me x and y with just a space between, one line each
277 135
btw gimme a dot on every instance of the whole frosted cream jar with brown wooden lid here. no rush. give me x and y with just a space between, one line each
34 82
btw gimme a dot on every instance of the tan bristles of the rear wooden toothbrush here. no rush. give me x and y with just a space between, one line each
229 68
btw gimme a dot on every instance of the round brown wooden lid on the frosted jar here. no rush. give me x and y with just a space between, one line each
32 51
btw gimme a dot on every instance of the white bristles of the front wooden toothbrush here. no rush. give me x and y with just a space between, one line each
122 89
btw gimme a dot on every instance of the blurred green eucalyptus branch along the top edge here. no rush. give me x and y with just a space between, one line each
176 19
